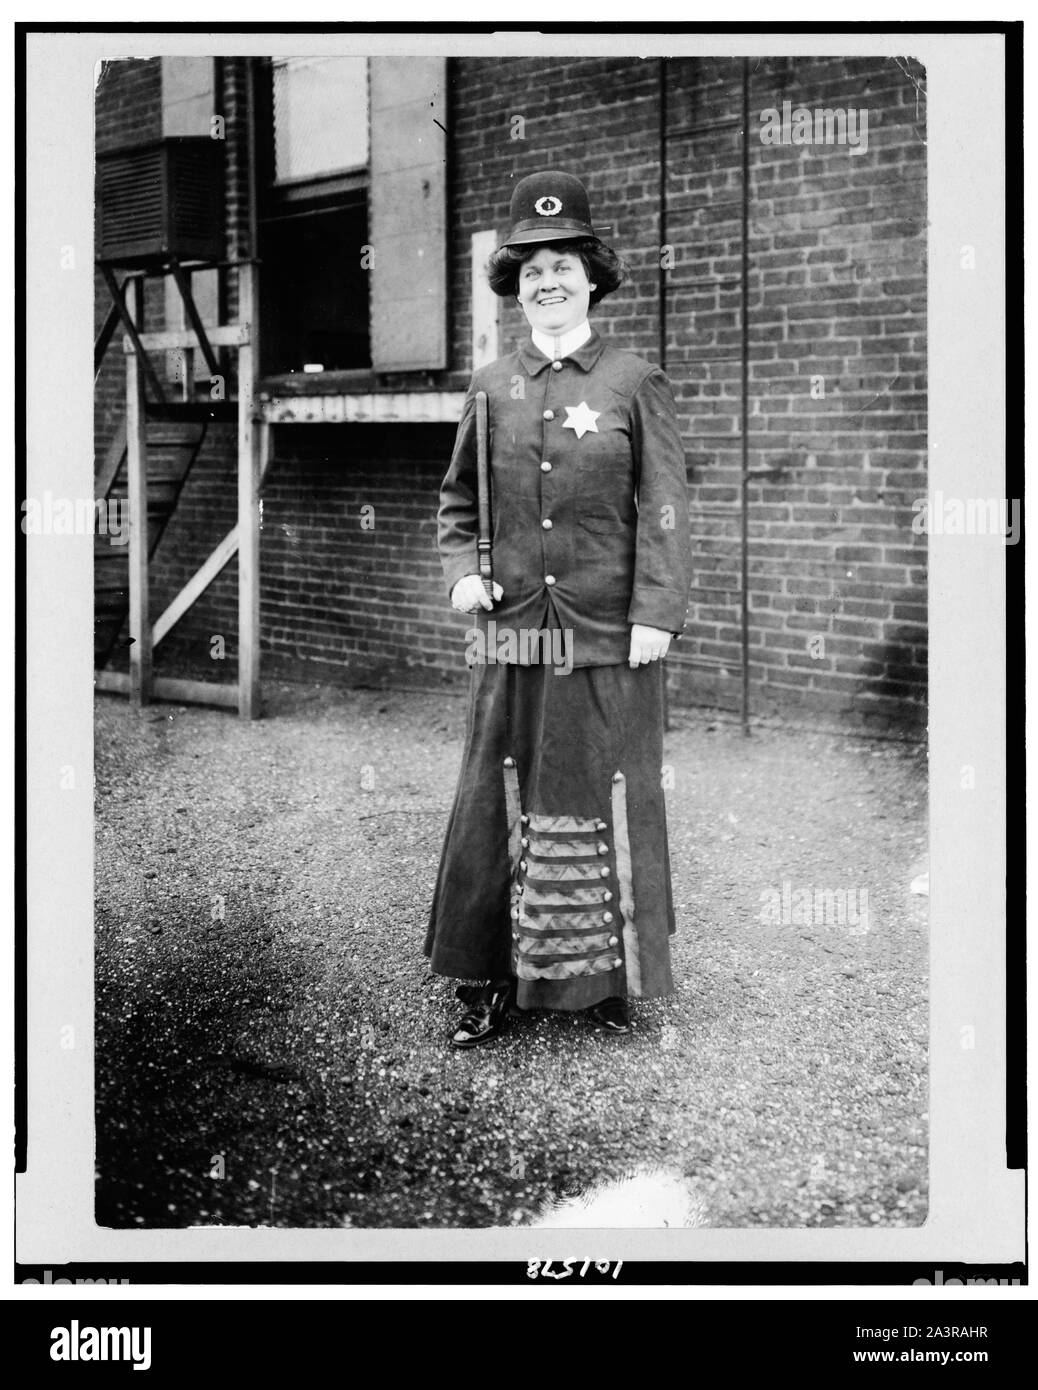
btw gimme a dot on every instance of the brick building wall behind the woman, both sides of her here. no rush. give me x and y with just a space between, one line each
837 305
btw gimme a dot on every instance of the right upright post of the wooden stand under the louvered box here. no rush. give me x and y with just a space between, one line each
251 451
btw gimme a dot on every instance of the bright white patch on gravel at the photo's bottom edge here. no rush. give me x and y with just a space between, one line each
654 1197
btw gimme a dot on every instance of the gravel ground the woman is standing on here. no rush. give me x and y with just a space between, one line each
272 1049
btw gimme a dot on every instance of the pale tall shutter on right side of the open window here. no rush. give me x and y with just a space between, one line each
408 224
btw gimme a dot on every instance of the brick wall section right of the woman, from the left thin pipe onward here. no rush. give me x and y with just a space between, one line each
839 304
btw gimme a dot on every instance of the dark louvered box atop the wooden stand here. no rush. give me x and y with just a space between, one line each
163 199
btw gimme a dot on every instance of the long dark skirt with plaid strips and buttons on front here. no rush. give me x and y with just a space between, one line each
555 868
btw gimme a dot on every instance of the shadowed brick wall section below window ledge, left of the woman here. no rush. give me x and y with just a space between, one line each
351 582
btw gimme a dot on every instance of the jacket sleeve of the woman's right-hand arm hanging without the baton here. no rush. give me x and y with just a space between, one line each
664 548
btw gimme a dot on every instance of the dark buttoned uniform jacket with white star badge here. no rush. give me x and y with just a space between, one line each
588 498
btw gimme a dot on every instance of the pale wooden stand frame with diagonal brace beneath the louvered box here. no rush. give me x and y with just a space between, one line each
244 540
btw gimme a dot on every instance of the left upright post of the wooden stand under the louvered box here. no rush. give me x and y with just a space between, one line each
137 489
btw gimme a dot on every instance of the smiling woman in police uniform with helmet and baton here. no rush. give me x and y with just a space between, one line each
554 888
